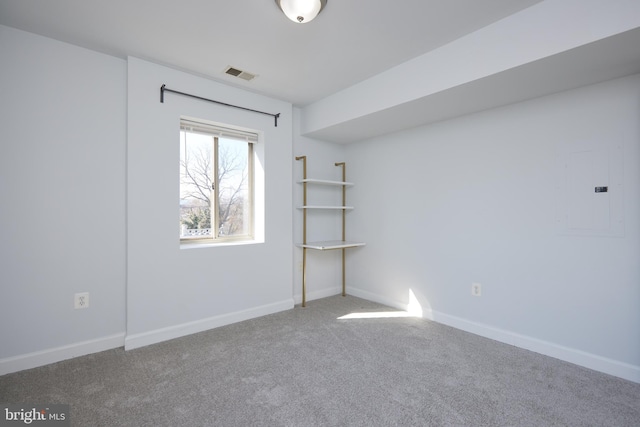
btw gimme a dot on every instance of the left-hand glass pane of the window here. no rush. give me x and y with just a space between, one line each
196 192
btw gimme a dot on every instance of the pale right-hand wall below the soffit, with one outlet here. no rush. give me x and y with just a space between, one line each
474 200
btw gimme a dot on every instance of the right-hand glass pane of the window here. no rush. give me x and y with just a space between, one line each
233 193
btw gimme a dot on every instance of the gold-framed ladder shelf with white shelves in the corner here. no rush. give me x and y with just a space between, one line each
342 244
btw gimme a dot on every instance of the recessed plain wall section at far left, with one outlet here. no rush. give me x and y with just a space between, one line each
62 186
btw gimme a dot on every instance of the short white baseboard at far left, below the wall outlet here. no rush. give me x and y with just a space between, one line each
58 354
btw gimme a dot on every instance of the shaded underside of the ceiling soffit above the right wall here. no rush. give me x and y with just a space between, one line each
608 58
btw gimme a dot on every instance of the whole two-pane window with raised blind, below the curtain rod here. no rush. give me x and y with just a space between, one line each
216 183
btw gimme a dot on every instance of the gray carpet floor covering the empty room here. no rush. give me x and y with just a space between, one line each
306 367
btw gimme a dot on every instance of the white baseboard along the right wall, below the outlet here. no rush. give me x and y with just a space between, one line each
567 354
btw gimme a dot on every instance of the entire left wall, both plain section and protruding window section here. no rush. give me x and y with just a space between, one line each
89 183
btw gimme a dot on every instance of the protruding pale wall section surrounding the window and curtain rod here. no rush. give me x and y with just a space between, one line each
173 291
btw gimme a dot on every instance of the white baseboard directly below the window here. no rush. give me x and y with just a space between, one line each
152 337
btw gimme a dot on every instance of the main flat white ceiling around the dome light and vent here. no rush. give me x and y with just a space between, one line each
351 40
